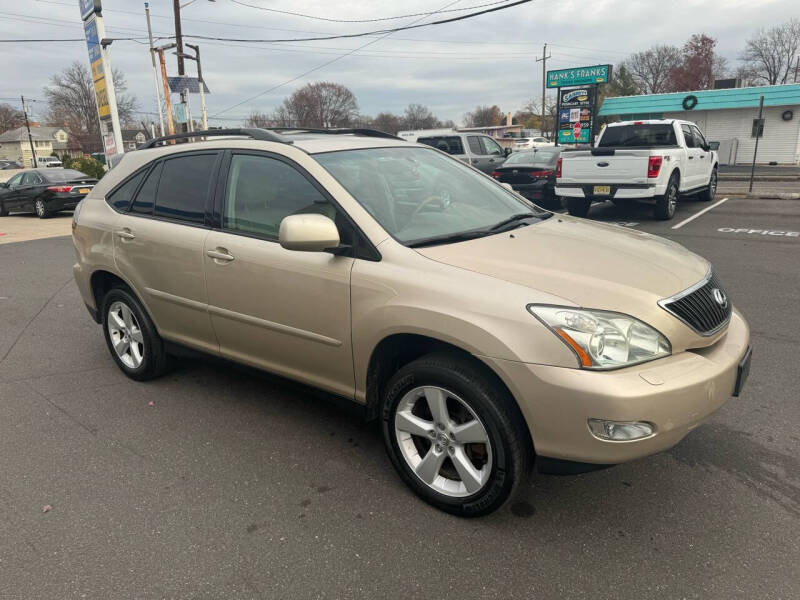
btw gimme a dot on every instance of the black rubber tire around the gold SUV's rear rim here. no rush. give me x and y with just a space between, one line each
154 357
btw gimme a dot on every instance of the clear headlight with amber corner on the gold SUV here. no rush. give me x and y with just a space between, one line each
603 339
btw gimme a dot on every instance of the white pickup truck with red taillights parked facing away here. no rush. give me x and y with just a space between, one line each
656 160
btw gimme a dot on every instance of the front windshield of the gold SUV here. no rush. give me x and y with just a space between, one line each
419 196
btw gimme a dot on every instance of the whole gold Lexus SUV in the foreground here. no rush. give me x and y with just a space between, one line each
481 330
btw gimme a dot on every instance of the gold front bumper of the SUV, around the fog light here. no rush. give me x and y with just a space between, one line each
675 394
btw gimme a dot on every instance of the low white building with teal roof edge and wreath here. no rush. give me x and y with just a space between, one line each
729 117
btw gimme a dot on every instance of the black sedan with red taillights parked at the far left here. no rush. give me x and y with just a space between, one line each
44 191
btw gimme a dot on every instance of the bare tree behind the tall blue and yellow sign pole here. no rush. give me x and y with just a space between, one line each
71 103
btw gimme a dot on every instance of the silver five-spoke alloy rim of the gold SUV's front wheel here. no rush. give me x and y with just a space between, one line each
443 441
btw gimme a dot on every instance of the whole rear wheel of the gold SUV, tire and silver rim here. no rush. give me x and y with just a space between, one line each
131 336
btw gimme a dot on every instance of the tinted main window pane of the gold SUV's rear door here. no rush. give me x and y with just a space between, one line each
184 186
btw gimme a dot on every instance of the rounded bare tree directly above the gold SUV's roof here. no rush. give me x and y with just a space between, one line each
319 104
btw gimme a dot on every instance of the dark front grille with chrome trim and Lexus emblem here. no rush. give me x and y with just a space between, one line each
704 307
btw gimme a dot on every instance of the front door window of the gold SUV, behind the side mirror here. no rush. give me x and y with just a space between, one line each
261 191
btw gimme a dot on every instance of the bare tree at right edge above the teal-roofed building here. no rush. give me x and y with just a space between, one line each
770 56
